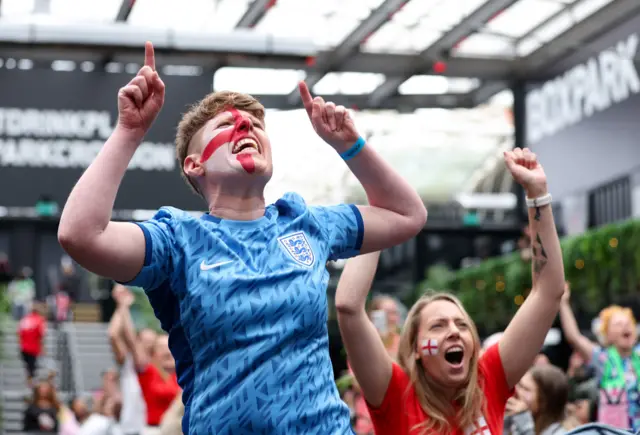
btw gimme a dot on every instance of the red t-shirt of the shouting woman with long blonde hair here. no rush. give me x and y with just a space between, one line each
400 410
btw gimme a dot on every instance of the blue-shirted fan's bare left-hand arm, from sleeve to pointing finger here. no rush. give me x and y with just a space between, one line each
112 249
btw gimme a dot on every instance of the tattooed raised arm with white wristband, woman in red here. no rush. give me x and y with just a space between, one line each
525 335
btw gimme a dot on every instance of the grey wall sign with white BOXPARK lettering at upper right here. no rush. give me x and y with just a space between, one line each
583 124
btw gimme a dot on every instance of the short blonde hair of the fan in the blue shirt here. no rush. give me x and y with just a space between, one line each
204 110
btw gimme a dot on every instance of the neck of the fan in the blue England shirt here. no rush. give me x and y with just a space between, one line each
236 204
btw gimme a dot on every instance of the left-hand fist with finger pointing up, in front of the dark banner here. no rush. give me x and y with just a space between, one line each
140 101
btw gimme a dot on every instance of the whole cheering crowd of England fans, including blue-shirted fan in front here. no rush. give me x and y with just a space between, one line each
242 292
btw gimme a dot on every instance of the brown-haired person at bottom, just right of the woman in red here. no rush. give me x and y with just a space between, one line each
539 404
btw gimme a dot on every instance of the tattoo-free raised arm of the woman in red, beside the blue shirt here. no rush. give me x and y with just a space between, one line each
369 360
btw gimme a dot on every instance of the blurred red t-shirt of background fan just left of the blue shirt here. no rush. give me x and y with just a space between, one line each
158 392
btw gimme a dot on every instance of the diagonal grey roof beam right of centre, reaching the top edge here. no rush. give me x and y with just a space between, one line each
441 47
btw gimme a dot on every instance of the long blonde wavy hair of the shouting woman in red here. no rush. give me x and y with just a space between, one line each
470 398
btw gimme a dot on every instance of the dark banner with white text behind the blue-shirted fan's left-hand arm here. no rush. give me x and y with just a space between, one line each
53 124
